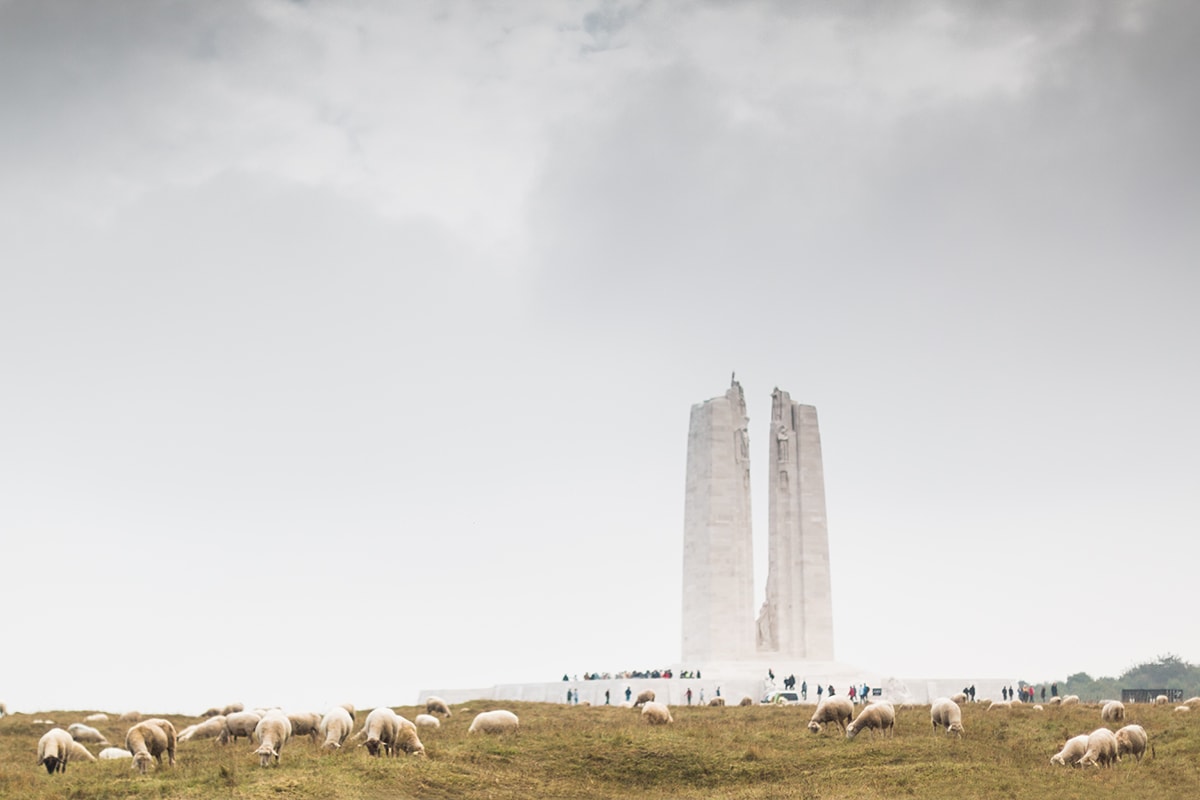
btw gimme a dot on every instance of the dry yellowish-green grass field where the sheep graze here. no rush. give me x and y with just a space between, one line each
609 753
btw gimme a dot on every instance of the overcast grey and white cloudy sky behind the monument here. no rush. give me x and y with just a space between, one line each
347 348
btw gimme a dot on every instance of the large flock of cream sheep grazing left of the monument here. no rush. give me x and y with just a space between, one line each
147 742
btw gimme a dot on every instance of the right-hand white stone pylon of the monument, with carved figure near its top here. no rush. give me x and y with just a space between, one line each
796 621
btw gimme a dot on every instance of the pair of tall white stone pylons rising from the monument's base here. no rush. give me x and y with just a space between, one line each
796 619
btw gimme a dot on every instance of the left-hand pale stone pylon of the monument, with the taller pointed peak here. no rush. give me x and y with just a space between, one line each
718 546
